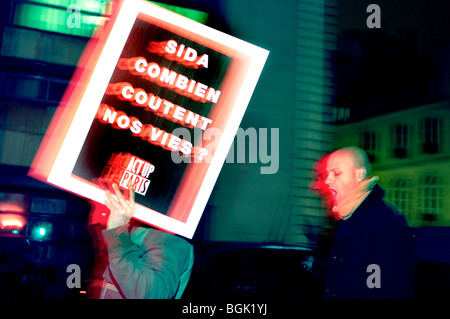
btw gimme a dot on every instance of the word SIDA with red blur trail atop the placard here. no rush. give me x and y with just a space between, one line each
178 53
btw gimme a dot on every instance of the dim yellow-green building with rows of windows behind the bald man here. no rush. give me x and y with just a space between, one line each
410 152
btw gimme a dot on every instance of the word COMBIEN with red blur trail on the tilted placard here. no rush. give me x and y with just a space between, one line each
164 77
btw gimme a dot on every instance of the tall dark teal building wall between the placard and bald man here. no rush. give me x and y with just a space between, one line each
293 99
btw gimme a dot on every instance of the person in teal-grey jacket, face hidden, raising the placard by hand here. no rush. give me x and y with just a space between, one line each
143 262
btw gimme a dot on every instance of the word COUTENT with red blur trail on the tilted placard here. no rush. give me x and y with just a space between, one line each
161 107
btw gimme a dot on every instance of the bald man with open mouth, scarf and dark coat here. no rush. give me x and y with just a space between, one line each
372 255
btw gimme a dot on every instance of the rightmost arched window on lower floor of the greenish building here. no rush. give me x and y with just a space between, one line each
430 198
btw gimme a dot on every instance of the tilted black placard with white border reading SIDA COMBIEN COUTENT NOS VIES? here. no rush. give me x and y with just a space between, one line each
145 86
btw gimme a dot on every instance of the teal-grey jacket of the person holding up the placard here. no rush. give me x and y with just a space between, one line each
151 270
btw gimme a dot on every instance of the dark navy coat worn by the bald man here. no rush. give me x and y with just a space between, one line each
373 253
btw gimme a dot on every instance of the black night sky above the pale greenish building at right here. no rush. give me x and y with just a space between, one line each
394 67
